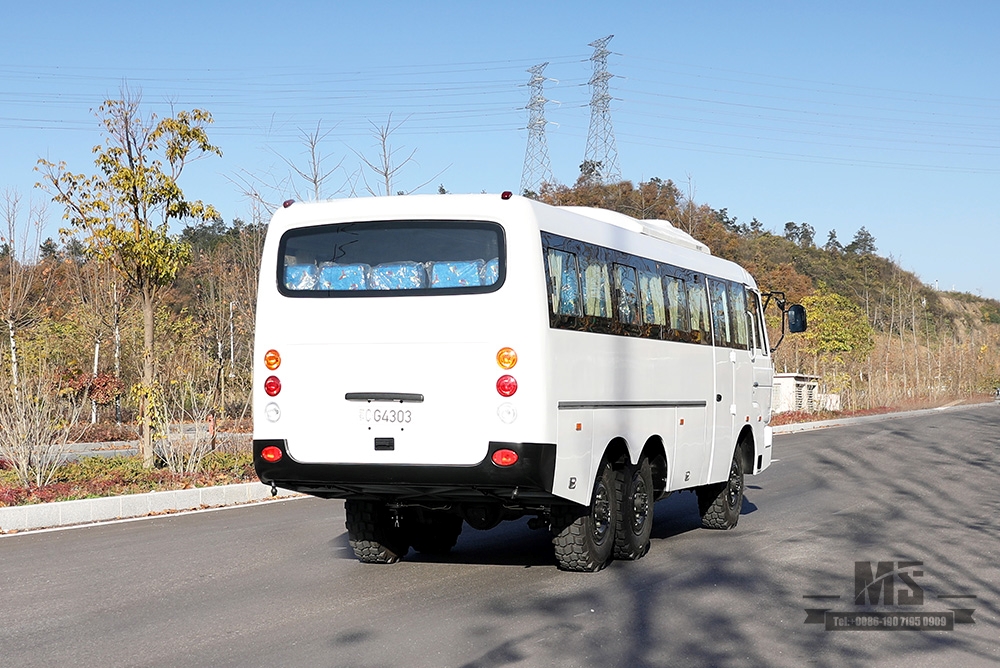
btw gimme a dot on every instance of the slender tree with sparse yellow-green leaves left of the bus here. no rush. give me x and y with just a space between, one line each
125 210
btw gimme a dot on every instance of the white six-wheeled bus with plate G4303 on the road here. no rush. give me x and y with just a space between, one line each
440 360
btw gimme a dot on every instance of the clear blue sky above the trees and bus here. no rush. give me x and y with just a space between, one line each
837 114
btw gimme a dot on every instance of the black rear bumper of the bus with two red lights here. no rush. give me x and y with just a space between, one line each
529 479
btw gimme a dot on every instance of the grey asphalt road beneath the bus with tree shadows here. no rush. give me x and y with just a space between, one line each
277 585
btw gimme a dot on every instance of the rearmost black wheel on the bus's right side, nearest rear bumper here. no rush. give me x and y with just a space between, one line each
584 537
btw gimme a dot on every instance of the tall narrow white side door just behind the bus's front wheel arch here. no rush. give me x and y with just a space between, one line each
725 359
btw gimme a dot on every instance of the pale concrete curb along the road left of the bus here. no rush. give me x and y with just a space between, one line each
103 509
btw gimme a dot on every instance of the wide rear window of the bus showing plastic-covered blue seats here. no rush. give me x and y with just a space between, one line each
382 258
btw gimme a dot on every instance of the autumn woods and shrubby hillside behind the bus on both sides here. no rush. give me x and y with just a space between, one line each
877 335
